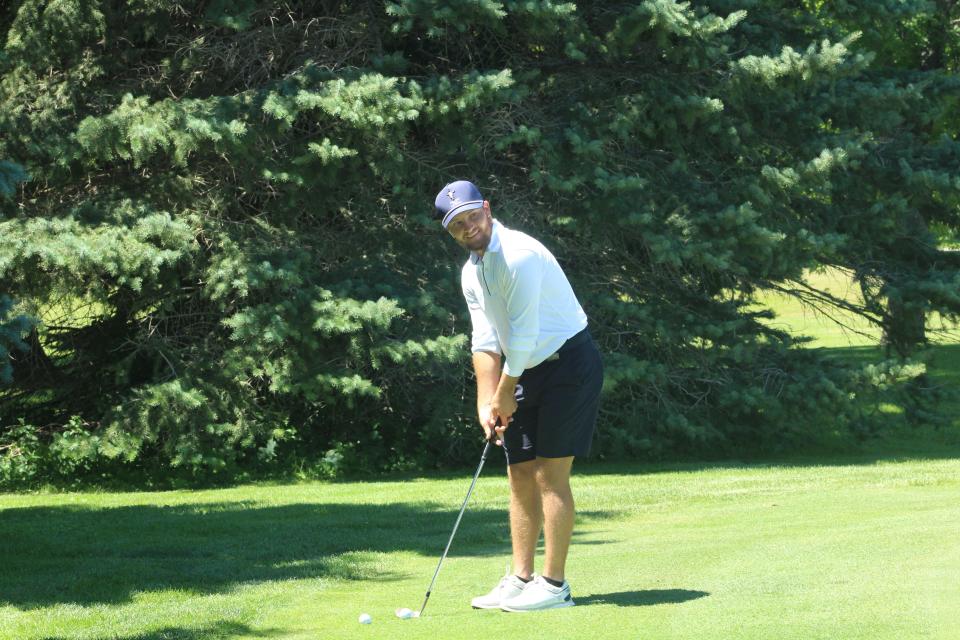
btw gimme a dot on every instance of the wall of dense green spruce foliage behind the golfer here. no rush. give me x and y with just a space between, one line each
226 242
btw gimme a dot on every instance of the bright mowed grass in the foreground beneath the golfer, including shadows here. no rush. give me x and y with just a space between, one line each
868 550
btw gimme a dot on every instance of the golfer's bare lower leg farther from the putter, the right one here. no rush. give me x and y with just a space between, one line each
553 483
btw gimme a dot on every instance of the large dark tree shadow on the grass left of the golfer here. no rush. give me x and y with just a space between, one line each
71 554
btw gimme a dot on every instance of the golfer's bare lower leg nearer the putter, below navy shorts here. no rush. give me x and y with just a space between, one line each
526 515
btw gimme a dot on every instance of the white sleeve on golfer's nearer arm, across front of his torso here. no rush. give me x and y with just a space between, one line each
523 308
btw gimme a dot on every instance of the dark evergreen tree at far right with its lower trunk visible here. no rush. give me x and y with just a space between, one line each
902 119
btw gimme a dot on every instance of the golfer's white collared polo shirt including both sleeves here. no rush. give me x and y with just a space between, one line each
521 304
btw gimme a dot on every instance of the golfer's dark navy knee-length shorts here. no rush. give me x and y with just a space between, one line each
557 404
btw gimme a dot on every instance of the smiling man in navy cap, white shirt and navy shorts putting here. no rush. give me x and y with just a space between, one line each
546 397
